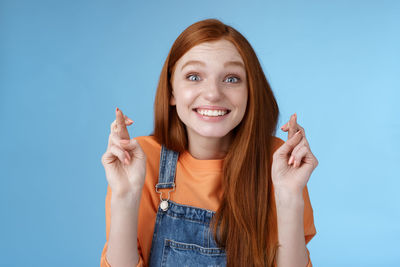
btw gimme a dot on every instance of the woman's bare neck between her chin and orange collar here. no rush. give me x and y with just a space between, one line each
208 147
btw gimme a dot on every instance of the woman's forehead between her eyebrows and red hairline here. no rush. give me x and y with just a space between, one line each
221 50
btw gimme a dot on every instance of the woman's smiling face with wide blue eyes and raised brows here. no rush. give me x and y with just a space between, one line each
210 89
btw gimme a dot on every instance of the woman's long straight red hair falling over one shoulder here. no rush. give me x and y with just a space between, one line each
245 224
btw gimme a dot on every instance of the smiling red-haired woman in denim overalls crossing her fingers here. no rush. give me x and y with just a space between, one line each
212 186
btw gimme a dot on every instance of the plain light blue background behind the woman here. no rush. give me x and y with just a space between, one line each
66 65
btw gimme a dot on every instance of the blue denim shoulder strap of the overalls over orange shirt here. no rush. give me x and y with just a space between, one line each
168 161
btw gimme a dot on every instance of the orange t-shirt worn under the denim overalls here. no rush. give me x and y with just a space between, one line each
198 184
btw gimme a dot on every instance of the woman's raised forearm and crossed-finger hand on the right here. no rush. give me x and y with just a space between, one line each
292 166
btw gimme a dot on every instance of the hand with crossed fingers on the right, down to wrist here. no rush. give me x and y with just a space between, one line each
293 162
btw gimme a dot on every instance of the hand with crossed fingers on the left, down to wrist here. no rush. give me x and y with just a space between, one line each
124 160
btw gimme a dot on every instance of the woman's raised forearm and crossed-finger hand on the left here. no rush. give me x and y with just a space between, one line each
125 165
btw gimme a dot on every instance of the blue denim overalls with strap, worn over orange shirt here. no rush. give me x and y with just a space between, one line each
182 235
